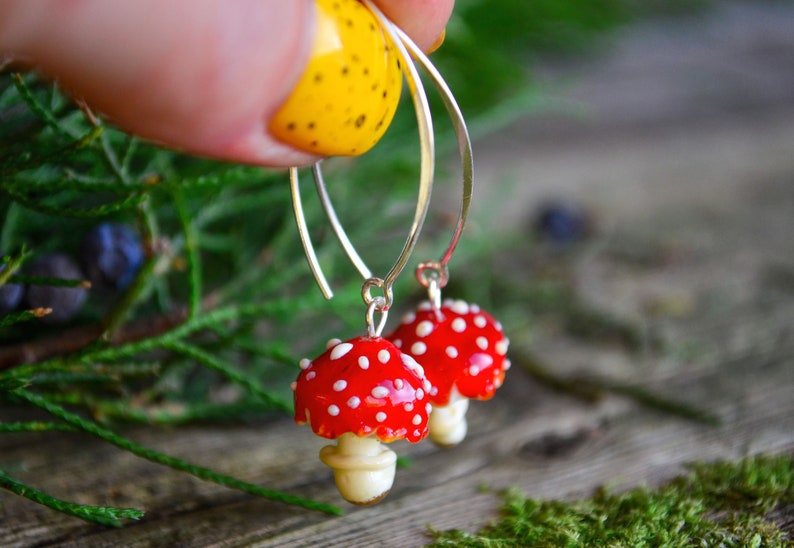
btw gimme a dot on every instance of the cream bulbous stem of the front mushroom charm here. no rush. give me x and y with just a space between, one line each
363 468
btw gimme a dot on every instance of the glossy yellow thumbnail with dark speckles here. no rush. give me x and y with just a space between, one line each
346 98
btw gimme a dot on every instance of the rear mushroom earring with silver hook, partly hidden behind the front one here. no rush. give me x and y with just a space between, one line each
463 347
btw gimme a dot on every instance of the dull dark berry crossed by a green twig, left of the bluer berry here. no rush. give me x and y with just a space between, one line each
64 301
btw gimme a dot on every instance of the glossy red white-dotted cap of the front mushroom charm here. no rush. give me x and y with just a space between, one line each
363 386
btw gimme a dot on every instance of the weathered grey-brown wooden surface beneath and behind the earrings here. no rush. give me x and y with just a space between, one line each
696 243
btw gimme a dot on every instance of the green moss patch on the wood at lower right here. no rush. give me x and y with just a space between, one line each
715 504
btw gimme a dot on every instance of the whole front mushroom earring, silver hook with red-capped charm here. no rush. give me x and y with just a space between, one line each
364 392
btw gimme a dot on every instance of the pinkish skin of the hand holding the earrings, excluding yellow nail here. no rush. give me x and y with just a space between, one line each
203 76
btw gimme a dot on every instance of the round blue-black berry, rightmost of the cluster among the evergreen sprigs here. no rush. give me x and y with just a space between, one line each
111 254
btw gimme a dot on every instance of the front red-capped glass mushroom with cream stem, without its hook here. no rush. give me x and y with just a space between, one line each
362 392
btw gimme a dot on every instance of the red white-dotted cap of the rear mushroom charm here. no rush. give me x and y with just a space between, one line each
460 346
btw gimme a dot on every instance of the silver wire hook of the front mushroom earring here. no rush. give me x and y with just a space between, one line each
427 167
